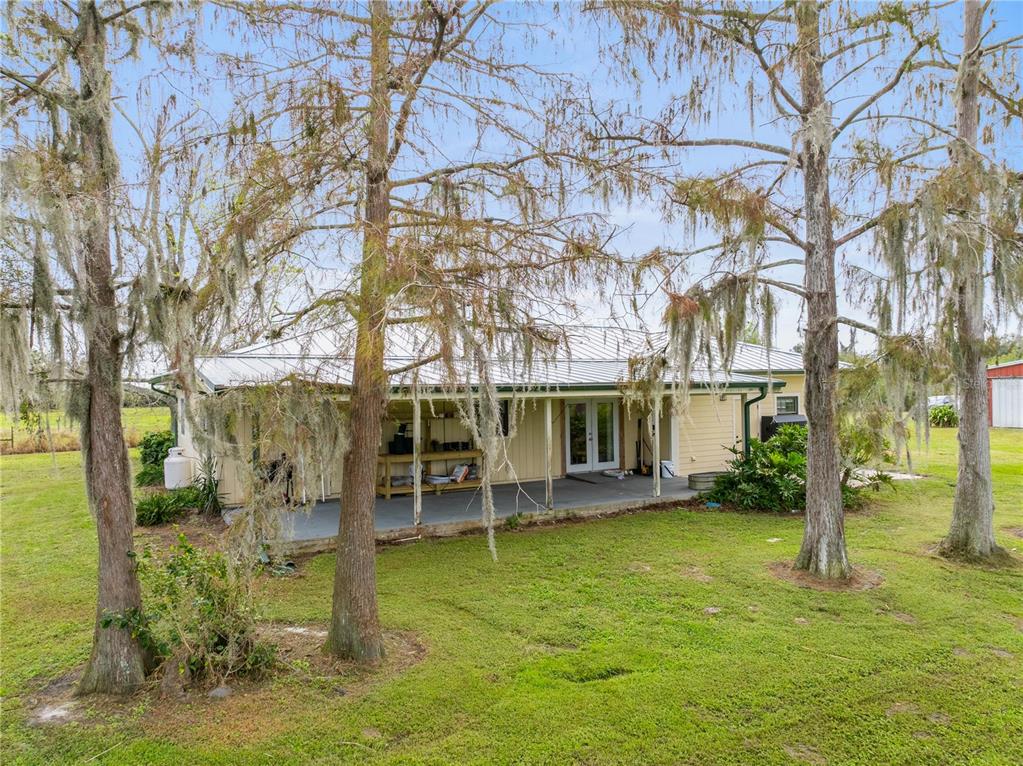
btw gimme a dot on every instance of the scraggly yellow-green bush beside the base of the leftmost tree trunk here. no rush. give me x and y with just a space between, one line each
201 617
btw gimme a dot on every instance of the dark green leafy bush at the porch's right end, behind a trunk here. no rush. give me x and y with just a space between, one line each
774 476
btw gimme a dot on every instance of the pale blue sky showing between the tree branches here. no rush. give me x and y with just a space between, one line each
566 42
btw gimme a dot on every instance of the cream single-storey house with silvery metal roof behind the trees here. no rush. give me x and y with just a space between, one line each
574 399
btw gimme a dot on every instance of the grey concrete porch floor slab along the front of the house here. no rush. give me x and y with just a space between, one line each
456 513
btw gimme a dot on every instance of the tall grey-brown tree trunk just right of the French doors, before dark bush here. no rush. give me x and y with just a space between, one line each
823 552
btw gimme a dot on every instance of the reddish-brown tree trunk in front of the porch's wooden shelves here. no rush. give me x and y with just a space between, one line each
355 630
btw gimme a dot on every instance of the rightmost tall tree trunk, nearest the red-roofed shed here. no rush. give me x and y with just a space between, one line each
972 532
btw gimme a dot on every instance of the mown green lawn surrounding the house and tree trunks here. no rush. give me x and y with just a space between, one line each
585 644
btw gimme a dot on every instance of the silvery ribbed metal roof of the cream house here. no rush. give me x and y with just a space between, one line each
583 358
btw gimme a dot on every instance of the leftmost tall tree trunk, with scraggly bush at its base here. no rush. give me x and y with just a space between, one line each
117 665
